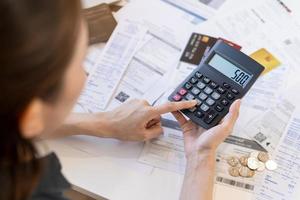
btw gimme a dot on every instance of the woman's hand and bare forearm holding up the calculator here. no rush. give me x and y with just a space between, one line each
200 148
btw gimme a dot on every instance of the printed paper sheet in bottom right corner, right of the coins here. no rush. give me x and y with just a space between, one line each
284 182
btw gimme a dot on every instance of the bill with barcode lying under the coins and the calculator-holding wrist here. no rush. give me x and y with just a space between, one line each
167 152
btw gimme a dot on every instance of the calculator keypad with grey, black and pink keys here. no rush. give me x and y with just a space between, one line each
211 98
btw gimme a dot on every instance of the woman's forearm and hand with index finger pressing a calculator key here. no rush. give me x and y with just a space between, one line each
134 120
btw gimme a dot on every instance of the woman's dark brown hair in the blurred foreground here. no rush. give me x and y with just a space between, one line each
37 39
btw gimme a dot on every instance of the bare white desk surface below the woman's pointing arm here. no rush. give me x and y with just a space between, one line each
109 168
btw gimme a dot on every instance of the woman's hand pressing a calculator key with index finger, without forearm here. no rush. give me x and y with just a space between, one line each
137 120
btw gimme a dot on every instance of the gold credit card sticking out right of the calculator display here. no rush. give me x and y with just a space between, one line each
266 59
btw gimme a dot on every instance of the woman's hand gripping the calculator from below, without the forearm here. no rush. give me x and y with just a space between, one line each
199 140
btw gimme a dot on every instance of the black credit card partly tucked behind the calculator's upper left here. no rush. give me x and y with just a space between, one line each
197 47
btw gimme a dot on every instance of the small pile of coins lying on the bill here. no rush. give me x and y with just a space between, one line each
247 166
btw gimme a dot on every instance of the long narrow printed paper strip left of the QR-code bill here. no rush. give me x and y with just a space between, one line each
111 66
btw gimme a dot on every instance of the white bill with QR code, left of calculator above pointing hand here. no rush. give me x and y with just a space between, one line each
150 68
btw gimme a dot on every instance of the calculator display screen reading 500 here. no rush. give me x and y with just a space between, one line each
230 70
